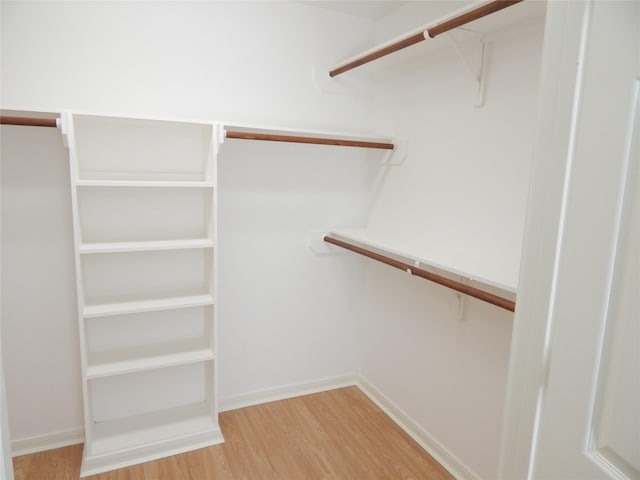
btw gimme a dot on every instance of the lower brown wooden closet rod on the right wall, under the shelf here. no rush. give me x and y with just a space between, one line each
419 272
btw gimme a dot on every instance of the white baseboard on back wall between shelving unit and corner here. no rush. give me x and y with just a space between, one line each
234 402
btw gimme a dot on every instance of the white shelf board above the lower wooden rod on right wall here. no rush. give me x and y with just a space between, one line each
459 262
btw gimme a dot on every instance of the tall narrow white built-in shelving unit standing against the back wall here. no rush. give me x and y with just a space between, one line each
144 214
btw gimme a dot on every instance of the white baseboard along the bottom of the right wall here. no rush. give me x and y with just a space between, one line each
443 456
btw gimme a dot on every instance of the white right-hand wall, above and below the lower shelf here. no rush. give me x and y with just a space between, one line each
464 184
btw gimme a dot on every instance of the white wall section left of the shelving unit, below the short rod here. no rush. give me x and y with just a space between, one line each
39 323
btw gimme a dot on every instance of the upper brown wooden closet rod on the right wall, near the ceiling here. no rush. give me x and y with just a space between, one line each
479 12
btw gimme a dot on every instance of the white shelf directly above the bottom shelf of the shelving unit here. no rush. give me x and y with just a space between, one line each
147 357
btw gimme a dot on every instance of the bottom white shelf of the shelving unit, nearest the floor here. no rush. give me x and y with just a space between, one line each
151 428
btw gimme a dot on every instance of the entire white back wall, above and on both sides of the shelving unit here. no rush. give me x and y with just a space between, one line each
284 315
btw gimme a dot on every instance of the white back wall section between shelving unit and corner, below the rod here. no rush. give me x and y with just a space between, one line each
287 313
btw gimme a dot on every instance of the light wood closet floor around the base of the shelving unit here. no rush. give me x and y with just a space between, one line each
338 434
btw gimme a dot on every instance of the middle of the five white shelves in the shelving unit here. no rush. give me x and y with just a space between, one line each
149 305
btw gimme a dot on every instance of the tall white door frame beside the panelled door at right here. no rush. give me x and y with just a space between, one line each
558 116
